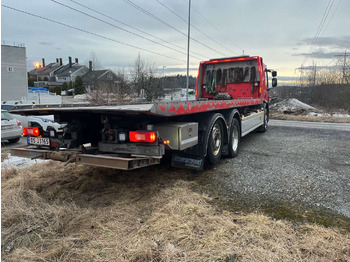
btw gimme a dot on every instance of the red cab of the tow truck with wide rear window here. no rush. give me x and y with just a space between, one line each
233 78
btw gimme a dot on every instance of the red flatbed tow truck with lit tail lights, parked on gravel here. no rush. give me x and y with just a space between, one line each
232 100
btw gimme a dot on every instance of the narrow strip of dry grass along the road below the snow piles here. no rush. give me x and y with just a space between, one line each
330 119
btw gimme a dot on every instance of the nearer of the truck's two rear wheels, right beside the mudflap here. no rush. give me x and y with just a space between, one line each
215 143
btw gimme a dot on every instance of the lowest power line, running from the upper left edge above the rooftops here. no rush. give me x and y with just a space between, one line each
90 33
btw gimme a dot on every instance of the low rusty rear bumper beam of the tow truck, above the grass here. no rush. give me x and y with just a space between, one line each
102 160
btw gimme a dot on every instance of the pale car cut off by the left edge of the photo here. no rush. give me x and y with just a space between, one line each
11 128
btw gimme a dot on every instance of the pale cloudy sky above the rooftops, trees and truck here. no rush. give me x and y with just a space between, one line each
281 31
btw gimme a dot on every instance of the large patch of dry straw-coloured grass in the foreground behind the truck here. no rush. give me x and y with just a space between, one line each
75 213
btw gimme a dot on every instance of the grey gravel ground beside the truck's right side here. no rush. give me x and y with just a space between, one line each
304 165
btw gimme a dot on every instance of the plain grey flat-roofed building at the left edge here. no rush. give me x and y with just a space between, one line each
14 84
